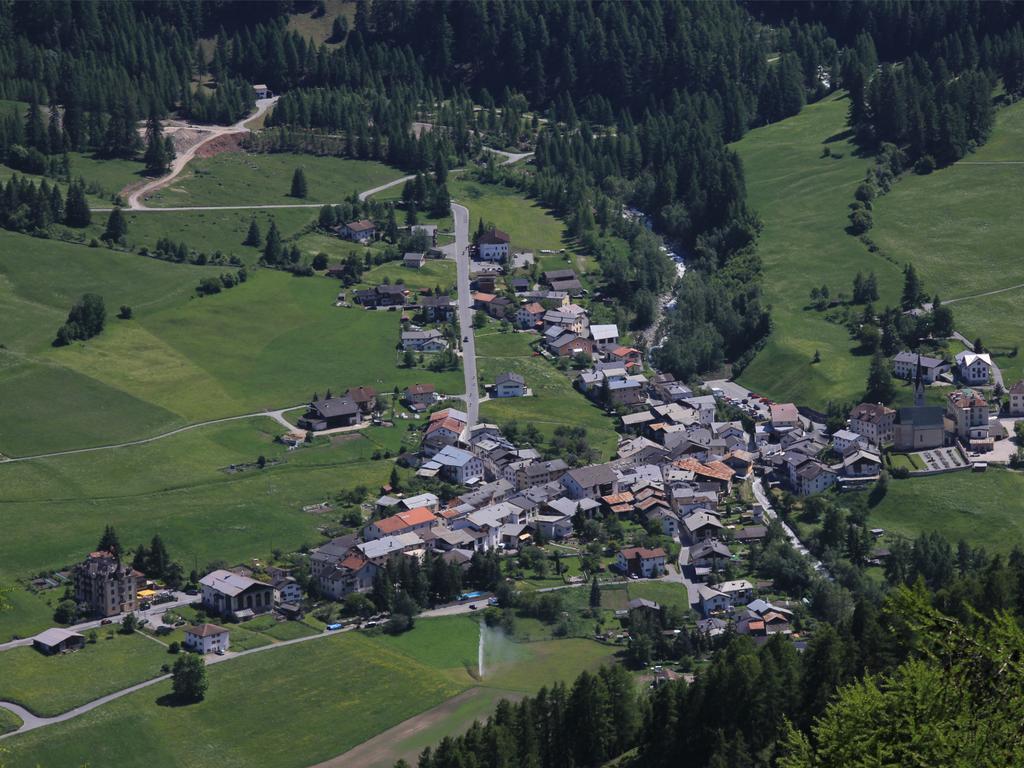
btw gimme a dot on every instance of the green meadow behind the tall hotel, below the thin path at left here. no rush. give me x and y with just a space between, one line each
179 487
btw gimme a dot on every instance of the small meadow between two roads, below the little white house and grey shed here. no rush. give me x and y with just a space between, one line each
50 686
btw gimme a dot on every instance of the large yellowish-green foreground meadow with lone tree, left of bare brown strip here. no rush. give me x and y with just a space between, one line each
333 695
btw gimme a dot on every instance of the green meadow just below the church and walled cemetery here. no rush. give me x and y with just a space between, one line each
984 509
